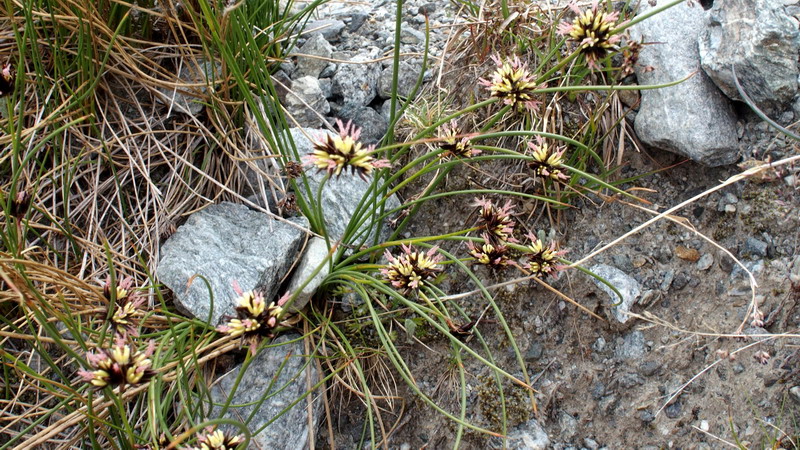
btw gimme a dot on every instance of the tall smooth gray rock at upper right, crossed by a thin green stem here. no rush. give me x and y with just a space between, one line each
694 118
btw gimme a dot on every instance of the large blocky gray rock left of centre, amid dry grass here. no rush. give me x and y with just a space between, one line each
223 243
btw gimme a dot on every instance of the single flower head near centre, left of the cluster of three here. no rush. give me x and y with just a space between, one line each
412 268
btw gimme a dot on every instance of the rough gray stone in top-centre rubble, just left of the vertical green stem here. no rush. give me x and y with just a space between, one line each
357 84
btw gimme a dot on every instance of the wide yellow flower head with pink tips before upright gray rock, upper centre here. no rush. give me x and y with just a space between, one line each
336 153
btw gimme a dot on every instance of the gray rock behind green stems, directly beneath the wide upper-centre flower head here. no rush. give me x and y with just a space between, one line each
341 195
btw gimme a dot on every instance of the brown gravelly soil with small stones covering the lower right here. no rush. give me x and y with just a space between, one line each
689 371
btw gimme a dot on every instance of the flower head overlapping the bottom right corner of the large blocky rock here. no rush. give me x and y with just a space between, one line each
254 318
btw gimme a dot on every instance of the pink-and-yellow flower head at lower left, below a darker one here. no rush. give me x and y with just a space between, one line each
119 365
